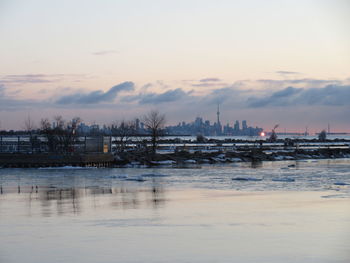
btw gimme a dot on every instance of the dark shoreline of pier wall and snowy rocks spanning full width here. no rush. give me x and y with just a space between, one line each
199 154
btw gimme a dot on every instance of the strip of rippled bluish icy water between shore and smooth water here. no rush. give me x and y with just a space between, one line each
308 175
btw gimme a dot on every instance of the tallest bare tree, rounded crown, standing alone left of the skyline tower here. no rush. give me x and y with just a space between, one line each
154 123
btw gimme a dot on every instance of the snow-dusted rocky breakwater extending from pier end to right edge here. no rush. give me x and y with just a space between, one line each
188 156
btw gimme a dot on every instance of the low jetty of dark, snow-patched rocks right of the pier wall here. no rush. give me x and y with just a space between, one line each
183 158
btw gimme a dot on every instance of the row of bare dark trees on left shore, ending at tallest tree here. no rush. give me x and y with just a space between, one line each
61 135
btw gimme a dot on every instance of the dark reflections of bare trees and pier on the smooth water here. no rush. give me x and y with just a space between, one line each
52 201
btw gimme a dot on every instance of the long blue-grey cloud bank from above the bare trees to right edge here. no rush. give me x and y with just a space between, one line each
235 97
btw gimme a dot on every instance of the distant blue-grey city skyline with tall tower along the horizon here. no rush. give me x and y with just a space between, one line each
198 126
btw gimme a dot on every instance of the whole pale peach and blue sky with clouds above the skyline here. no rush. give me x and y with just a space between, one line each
269 62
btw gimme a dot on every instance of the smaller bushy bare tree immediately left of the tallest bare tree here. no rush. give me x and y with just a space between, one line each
122 131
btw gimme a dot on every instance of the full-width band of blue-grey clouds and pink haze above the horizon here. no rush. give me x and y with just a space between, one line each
266 103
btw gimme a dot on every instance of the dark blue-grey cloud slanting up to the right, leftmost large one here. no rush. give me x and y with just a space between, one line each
97 96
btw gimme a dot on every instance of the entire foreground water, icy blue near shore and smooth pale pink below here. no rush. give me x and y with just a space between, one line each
267 212
